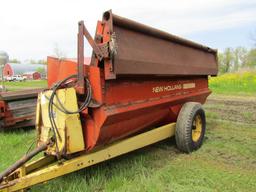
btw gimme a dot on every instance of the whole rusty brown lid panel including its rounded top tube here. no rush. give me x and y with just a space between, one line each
143 50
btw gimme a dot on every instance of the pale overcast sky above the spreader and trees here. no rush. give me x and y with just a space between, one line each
30 29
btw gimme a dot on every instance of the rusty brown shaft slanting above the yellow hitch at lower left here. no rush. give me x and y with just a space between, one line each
23 160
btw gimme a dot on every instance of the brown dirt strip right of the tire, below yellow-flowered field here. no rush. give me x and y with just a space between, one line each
235 109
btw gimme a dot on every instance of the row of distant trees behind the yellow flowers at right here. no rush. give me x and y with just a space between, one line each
234 59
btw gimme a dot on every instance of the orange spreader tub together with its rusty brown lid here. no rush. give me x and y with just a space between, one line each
144 85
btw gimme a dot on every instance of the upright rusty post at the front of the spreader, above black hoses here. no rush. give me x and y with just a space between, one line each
80 58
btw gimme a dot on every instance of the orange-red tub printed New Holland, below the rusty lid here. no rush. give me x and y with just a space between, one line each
130 105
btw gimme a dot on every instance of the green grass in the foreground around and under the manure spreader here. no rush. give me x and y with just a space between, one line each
225 162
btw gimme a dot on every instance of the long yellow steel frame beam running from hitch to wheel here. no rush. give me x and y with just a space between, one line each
48 168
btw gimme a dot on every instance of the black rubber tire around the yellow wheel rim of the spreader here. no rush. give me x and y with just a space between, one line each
184 126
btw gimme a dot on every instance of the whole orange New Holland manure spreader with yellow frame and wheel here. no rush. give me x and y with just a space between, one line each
142 86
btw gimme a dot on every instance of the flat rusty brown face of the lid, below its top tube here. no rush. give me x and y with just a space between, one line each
140 54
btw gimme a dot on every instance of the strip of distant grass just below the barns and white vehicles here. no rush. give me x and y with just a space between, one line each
12 86
